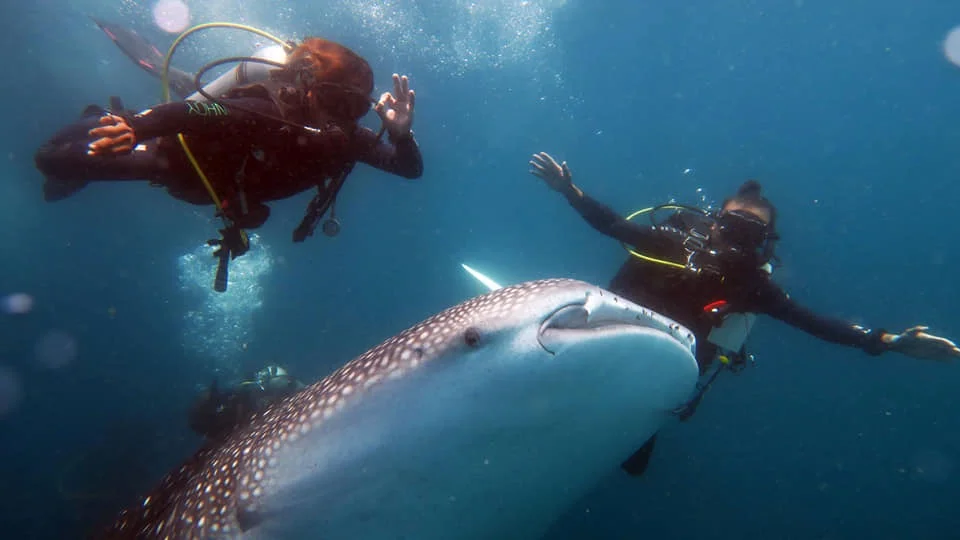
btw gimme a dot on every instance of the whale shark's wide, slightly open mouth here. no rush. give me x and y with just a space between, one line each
582 317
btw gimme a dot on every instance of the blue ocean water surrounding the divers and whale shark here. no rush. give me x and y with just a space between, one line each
847 112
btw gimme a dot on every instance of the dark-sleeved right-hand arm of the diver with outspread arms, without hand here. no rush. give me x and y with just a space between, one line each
778 304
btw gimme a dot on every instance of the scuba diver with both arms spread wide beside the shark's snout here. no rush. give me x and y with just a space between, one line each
711 272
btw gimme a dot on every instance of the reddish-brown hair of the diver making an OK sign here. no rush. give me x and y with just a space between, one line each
330 62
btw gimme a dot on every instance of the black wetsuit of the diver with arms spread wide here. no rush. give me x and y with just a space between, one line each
683 295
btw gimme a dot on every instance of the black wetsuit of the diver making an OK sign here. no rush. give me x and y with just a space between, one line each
274 160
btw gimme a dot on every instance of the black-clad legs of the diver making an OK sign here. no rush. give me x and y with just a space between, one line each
67 167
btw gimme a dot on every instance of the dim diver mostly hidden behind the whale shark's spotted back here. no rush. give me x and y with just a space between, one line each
216 412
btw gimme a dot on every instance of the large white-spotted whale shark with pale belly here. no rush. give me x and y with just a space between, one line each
487 420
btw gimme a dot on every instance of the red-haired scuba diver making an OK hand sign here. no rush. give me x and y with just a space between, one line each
283 121
